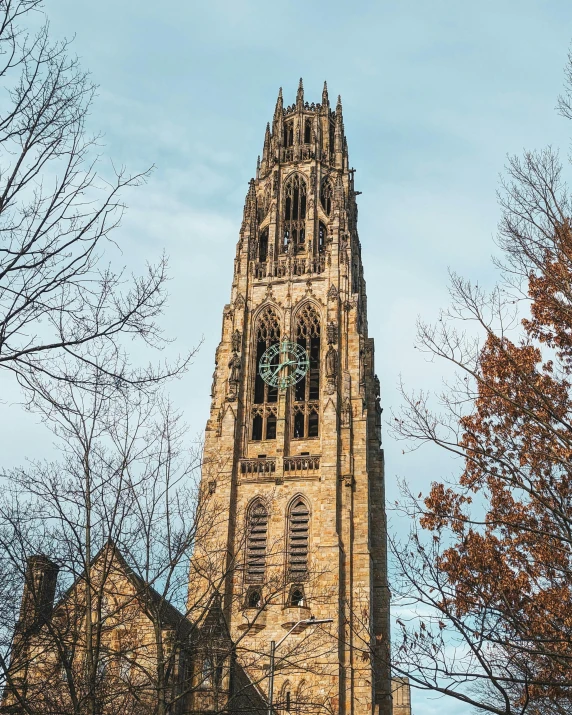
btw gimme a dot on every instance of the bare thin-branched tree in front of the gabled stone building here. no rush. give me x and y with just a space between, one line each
117 518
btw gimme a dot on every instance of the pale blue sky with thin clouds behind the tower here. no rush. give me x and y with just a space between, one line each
436 95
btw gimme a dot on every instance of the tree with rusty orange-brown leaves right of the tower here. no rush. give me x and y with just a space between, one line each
483 585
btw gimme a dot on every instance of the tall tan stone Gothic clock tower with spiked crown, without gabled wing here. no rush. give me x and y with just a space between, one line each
294 472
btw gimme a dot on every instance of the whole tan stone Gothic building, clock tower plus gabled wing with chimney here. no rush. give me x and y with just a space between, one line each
288 600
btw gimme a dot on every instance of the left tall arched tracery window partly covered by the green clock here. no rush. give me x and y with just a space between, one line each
265 396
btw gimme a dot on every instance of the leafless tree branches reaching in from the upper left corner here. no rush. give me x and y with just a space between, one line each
63 308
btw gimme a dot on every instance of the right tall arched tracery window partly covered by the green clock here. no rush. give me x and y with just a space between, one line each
307 391
